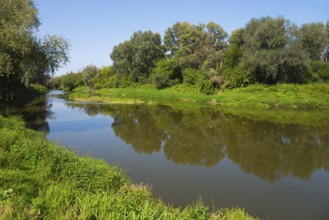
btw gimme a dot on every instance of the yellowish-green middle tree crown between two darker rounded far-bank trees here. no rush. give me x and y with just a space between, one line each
196 46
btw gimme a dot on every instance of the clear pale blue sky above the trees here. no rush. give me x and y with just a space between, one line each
93 28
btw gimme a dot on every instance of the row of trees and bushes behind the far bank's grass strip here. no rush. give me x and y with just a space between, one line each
267 50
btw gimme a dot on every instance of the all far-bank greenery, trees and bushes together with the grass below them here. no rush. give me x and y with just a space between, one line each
269 62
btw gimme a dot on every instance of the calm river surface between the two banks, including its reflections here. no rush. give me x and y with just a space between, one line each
273 170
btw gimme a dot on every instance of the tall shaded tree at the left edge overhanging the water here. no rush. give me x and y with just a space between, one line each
25 59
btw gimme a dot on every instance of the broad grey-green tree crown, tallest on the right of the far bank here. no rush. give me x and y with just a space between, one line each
272 51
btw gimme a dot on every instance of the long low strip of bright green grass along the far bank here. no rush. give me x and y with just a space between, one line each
262 96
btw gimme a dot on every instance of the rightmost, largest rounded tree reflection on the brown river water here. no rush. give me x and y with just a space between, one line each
272 150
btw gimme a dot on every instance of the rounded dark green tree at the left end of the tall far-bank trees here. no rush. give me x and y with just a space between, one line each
135 58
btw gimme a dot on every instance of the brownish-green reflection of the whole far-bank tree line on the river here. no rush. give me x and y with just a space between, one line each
204 136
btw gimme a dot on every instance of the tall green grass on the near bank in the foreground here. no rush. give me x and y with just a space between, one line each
41 180
